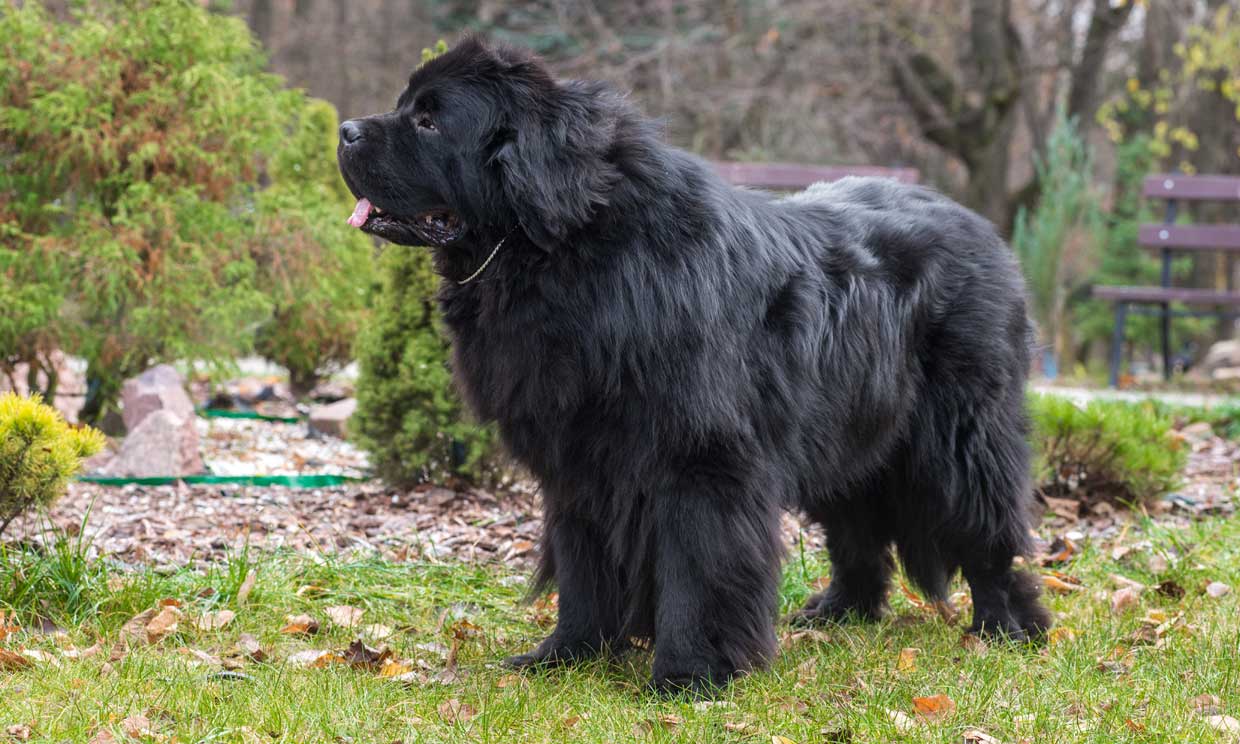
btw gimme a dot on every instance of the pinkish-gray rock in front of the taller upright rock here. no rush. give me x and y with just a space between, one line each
163 445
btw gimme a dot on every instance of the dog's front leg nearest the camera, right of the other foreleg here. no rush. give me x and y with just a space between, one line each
719 560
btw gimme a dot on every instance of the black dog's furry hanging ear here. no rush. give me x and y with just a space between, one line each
552 153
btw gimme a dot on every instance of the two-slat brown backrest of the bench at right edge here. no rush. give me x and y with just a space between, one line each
1176 188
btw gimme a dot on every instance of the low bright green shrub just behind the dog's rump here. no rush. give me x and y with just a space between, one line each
1105 451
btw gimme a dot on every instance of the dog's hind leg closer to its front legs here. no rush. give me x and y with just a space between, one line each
859 542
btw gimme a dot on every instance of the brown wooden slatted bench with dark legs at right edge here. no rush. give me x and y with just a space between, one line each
1167 239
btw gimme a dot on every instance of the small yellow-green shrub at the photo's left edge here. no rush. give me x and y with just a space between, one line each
39 453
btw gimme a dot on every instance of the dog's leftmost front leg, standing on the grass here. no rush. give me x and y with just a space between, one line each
590 595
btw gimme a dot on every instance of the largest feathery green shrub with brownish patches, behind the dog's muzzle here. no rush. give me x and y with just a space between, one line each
163 198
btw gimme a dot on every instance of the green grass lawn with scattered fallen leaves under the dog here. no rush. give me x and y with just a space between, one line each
820 690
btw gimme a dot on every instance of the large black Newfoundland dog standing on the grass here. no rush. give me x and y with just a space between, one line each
679 360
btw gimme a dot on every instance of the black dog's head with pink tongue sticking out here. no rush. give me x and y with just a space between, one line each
483 142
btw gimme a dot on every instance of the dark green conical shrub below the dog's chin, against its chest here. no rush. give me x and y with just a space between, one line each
407 416
